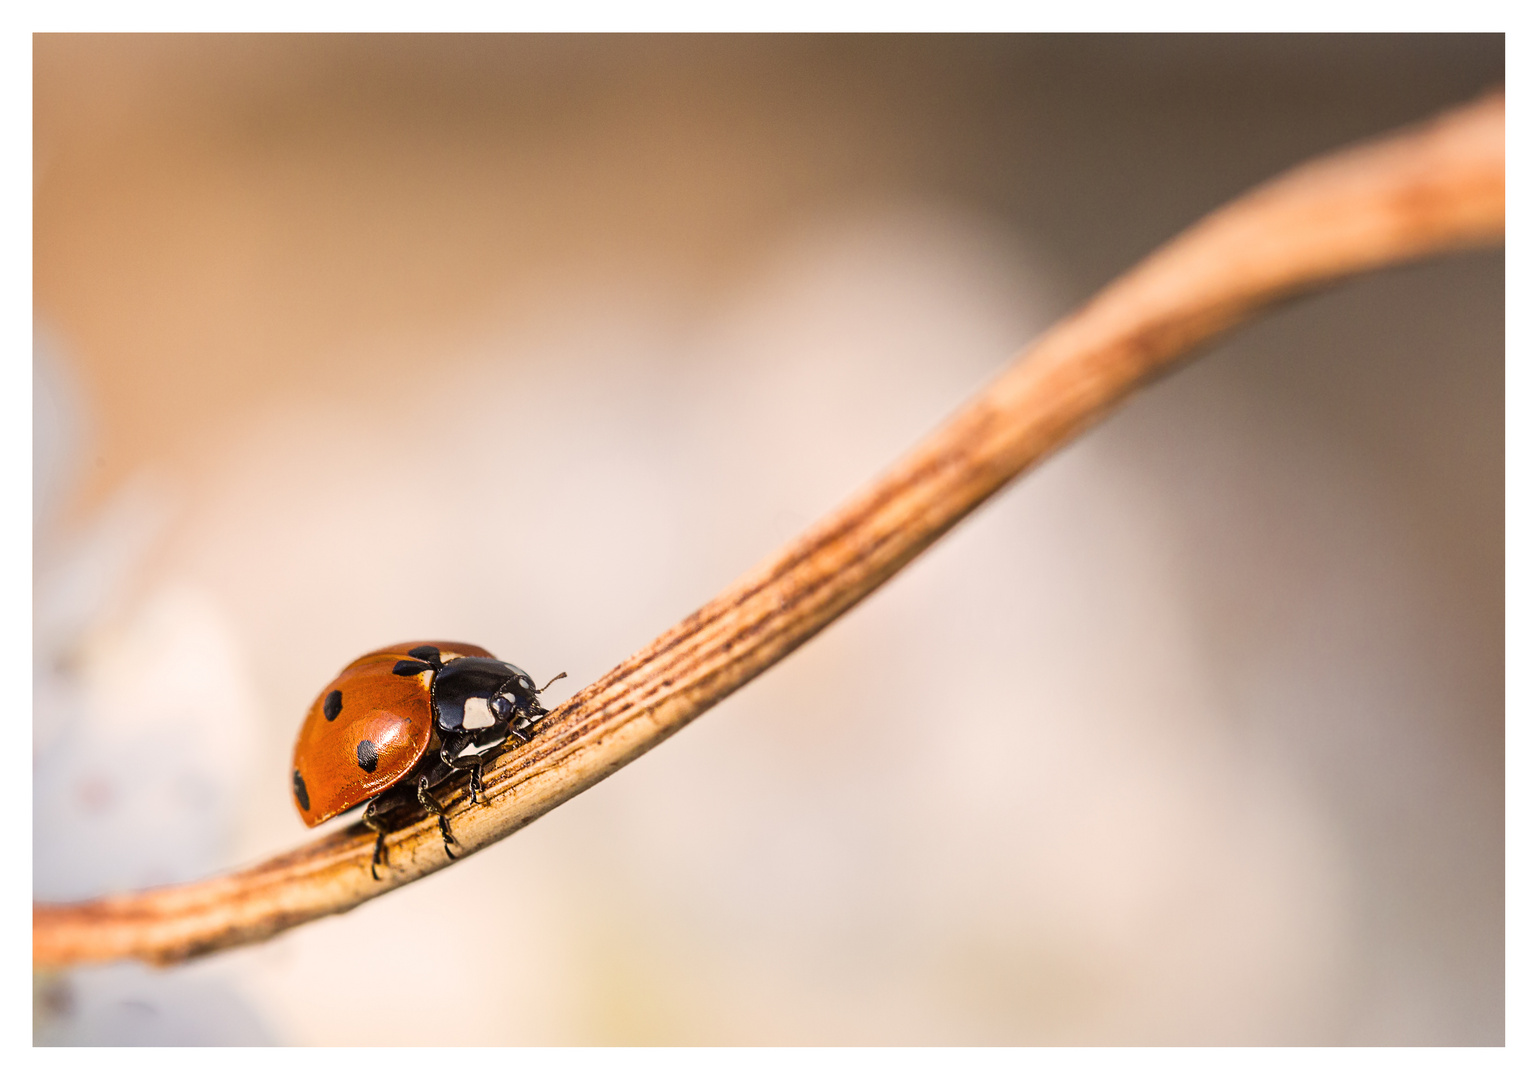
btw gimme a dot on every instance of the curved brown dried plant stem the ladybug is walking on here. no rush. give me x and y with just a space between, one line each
1431 190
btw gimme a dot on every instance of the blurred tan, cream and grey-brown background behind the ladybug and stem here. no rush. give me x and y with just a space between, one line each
1193 736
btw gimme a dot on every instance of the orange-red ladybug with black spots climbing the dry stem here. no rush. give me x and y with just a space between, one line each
401 721
